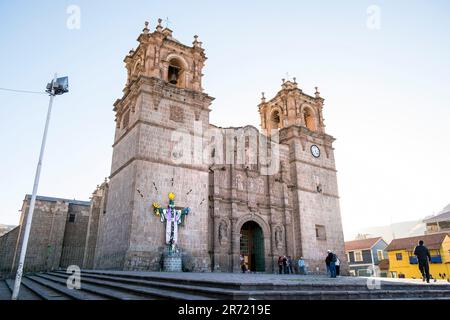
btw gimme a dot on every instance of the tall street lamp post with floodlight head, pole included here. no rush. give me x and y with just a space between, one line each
58 86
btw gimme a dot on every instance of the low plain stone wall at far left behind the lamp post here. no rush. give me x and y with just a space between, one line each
50 240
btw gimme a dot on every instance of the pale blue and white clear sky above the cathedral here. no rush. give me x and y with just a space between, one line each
386 84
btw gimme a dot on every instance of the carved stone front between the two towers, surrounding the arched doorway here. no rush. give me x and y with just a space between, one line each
242 192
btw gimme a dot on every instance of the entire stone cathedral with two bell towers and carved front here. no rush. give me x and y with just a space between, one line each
253 193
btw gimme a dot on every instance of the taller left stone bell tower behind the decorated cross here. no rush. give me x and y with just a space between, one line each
159 118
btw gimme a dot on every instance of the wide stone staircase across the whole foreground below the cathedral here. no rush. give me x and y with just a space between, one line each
123 285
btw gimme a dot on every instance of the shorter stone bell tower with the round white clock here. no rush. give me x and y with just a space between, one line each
316 216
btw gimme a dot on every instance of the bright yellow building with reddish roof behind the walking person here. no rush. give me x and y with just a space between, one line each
403 263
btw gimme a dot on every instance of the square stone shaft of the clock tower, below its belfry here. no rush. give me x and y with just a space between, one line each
316 197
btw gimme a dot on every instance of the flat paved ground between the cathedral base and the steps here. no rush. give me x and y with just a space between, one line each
274 278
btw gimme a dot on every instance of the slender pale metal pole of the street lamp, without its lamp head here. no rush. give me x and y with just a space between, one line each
33 201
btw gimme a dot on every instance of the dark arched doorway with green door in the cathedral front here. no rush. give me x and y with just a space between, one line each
252 246
